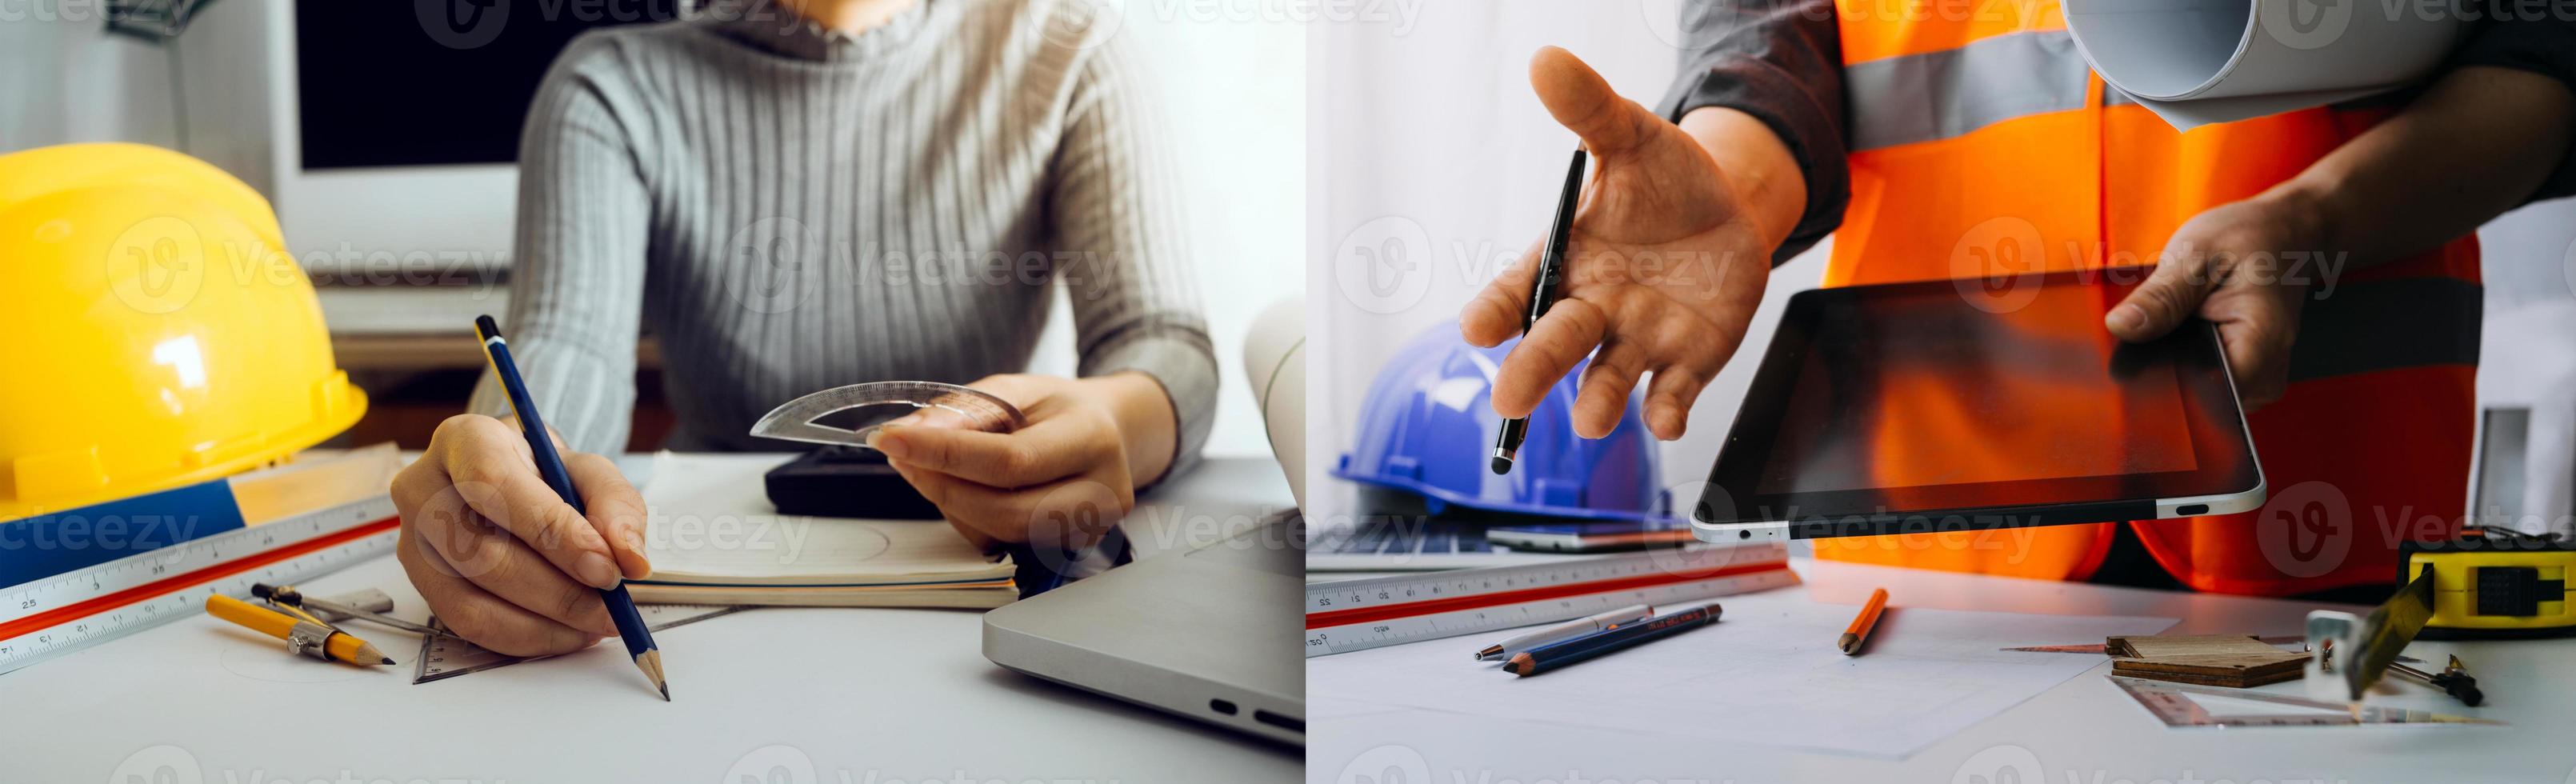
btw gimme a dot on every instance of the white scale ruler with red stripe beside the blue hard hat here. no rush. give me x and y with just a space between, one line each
1377 612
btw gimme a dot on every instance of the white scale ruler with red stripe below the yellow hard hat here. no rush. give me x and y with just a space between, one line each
122 597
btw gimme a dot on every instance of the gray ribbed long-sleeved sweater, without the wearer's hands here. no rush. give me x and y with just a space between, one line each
792 210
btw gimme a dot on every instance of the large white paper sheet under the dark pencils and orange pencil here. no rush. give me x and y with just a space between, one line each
1766 674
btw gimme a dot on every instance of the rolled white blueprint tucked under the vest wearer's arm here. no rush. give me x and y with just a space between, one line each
2222 61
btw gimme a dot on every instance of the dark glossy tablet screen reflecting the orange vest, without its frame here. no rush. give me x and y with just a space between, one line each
1915 391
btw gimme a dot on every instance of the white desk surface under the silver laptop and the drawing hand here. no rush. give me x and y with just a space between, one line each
826 695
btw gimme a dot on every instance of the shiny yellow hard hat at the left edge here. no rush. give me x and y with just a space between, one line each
156 331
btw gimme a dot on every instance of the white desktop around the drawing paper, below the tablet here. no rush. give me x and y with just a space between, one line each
2083 731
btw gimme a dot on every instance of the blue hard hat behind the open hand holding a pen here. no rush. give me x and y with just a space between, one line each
1428 427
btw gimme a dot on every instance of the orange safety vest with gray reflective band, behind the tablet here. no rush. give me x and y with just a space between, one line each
1982 146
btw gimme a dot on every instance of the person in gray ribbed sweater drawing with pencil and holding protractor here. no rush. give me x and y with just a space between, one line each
815 195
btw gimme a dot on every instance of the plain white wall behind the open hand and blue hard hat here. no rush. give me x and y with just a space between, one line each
1431 143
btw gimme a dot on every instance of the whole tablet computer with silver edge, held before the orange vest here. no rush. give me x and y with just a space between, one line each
1954 406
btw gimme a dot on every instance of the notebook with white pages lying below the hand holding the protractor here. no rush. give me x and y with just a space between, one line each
715 538
